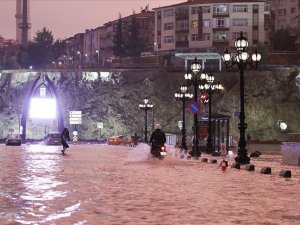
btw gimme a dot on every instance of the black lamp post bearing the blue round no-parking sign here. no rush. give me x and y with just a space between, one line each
194 80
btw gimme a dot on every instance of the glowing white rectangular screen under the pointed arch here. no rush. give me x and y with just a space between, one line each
42 108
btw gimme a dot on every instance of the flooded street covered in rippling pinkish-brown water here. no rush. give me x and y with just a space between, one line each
111 185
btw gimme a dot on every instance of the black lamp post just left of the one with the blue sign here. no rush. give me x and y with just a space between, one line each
183 96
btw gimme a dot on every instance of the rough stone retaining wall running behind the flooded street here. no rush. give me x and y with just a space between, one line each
269 96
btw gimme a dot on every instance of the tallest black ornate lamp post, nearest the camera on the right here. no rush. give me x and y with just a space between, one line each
241 59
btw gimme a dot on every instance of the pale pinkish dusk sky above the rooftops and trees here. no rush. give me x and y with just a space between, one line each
66 18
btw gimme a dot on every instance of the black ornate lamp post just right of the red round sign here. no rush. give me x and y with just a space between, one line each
210 87
